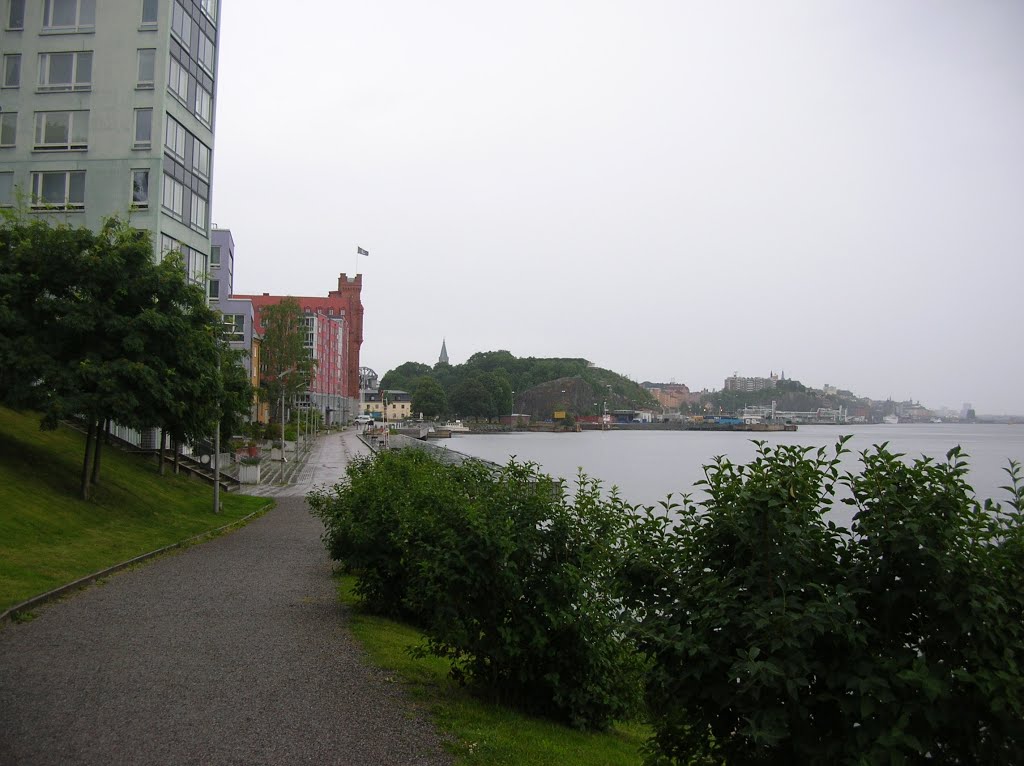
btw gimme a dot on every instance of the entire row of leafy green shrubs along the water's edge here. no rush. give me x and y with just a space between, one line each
763 633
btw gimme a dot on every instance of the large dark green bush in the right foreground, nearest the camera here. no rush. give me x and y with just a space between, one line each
778 639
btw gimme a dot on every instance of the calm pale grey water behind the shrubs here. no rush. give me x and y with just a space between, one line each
647 466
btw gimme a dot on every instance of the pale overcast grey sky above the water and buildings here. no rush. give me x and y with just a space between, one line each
675 191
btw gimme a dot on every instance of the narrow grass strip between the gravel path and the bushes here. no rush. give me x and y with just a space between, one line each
484 734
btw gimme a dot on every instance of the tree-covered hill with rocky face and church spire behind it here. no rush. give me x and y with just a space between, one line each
485 386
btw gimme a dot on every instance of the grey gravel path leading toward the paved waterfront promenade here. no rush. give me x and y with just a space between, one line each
234 652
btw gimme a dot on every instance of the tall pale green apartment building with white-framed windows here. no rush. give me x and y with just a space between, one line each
107 107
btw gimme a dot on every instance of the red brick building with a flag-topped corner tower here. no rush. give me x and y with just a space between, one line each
334 335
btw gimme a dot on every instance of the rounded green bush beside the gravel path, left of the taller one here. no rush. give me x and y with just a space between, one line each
511 580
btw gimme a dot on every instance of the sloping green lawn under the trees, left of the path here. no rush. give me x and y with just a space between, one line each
51 537
